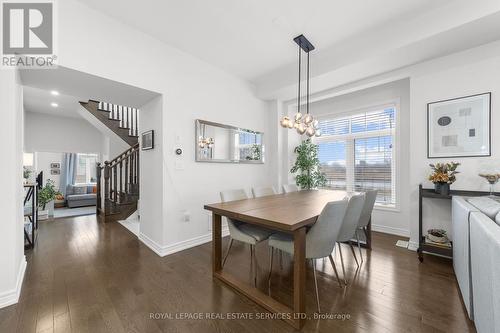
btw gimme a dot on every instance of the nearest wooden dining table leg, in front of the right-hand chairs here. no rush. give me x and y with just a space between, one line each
299 276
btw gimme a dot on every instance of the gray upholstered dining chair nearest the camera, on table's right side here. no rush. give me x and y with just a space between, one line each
320 239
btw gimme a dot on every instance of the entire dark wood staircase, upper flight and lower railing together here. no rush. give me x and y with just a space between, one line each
118 179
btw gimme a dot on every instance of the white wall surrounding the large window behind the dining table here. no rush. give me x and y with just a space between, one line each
395 221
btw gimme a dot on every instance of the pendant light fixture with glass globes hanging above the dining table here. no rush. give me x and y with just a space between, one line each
303 124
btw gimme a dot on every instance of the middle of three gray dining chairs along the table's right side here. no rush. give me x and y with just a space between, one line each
350 226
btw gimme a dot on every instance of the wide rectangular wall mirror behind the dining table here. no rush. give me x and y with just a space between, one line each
227 144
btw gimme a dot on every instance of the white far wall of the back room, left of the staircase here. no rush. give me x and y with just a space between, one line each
60 134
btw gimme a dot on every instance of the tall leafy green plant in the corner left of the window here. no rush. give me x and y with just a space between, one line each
307 165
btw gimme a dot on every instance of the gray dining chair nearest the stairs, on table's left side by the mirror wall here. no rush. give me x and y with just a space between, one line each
243 232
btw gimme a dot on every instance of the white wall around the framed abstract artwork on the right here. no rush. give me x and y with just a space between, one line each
455 76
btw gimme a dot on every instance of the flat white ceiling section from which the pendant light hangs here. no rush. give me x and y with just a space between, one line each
252 38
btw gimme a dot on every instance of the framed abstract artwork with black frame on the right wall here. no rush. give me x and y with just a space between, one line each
459 127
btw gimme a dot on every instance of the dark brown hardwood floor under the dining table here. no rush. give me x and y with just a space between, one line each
85 276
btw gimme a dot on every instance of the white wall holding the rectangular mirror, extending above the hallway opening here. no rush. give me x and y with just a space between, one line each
191 89
